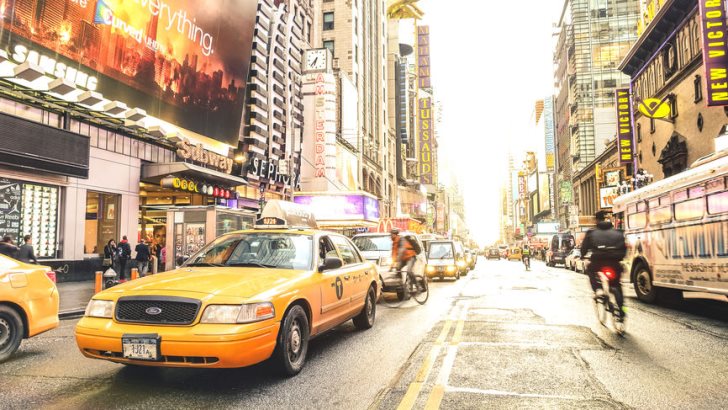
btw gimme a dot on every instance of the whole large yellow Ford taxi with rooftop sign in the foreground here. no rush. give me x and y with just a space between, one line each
246 297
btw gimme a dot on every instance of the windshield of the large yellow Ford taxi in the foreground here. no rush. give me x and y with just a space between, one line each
253 249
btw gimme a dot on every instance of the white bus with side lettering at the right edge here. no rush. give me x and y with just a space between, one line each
677 231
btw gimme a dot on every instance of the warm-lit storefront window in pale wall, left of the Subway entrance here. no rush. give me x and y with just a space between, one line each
102 222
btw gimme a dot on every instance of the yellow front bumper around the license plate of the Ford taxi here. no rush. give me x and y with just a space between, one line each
200 345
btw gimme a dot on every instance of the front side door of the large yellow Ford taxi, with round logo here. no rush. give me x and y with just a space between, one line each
335 294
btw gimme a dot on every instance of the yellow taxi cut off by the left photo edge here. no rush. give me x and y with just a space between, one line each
28 303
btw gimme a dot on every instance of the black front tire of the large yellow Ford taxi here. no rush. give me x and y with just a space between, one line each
296 317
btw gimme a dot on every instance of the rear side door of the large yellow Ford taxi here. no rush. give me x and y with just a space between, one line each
355 271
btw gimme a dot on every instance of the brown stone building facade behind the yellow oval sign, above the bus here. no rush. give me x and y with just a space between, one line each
667 63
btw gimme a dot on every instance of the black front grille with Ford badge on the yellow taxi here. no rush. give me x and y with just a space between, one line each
162 310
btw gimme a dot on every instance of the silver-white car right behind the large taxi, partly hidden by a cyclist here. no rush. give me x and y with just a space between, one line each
377 247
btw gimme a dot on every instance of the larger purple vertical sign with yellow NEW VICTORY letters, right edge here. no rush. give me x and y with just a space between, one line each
715 51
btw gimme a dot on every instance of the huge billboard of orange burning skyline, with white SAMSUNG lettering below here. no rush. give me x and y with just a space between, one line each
183 62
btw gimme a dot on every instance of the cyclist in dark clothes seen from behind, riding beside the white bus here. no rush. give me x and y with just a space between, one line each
607 248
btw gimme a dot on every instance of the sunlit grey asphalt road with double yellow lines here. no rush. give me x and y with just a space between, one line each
499 338
